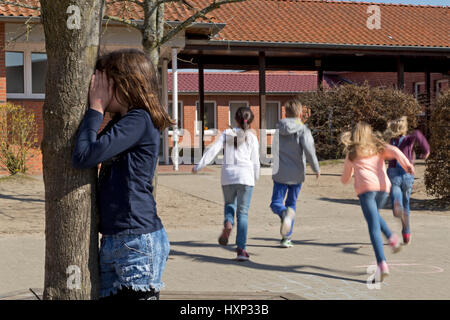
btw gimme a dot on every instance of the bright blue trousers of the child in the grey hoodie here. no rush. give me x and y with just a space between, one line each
278 195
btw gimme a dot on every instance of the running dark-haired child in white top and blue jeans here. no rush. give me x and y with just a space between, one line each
240 171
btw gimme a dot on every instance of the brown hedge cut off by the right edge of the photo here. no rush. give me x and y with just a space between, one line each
437 172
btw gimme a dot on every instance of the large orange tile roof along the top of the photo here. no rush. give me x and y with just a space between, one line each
307 21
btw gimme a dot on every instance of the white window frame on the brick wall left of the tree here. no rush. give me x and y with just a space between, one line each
27 50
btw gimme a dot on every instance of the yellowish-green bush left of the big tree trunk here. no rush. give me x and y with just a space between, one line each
18 133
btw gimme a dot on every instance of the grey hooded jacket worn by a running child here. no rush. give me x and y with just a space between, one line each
294 145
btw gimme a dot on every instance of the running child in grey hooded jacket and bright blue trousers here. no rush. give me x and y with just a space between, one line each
292 147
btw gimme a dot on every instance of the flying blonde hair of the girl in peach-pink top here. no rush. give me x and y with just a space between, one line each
362 142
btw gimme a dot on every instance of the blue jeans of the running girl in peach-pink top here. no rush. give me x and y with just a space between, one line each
371 202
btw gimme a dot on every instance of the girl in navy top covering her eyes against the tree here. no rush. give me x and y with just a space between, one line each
134 245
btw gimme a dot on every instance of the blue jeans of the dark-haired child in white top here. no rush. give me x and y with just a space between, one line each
237 200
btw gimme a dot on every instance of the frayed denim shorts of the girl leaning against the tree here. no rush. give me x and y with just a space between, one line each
133 261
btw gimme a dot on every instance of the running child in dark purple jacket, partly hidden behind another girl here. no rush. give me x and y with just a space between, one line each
402 182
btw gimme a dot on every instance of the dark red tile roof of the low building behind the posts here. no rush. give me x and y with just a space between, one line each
241 82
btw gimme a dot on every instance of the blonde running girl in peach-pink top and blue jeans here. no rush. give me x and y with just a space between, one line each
366 154
